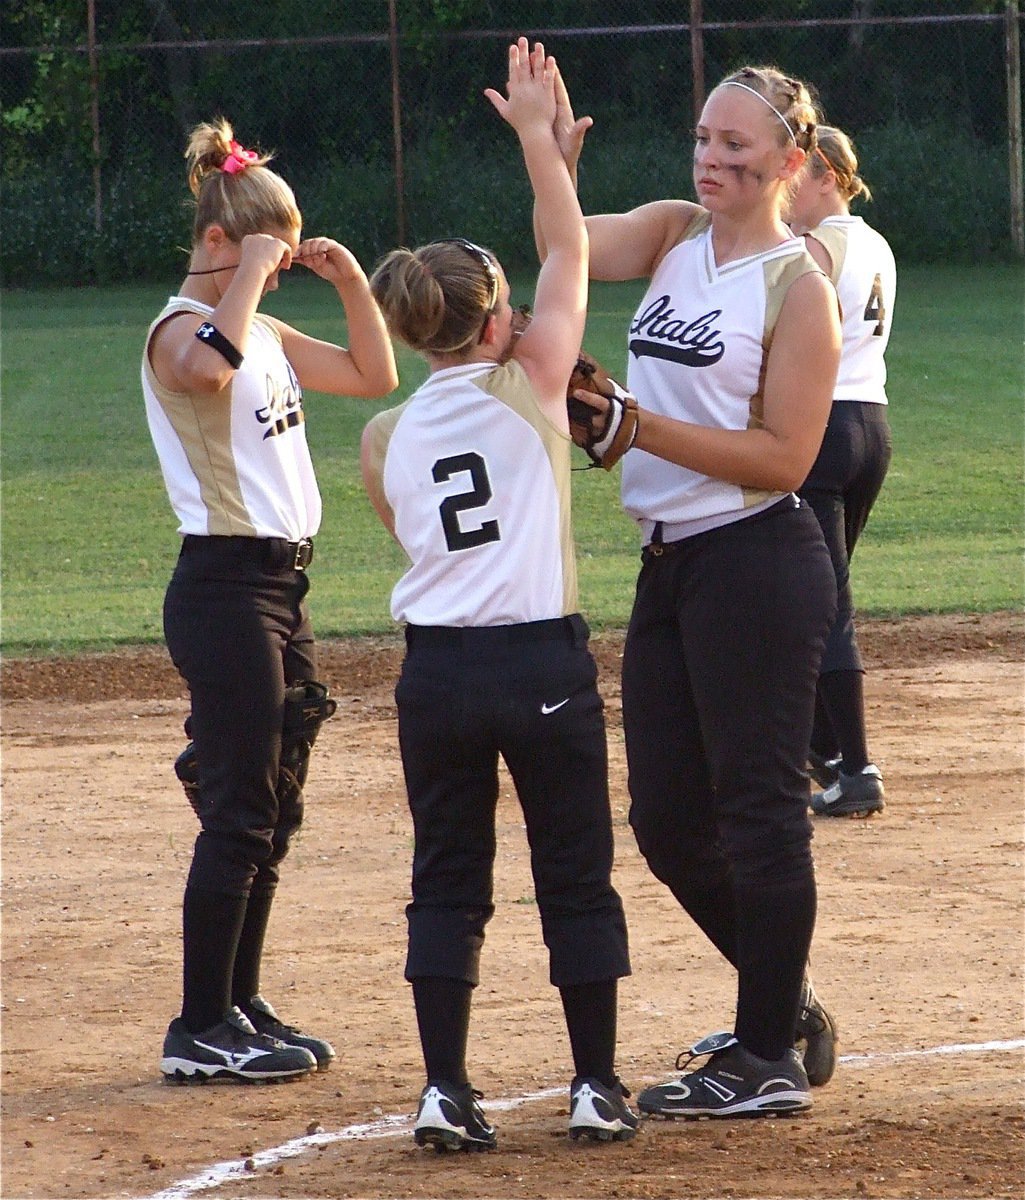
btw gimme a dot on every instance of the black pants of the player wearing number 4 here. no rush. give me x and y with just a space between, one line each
842 489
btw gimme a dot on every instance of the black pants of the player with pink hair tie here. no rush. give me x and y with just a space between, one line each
239 633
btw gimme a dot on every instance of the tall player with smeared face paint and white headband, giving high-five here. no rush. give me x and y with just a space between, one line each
733 357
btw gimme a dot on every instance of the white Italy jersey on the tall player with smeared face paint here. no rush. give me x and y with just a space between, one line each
698 352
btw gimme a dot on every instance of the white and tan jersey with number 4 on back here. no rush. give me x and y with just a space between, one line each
866 278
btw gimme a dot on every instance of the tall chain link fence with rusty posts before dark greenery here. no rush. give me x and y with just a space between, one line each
376 115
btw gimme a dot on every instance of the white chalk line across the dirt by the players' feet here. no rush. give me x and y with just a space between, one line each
401 1124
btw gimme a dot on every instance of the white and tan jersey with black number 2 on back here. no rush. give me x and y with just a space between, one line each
478 483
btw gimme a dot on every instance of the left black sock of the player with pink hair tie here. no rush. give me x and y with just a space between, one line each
212 925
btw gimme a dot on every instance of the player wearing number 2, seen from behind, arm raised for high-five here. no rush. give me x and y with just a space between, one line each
472 476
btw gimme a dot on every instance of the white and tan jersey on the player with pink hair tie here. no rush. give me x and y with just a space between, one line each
236 464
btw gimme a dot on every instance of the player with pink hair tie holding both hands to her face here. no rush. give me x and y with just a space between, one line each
224 394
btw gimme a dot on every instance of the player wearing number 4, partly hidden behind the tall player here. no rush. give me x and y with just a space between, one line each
856 451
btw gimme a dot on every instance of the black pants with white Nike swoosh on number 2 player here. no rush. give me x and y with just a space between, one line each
529 694
